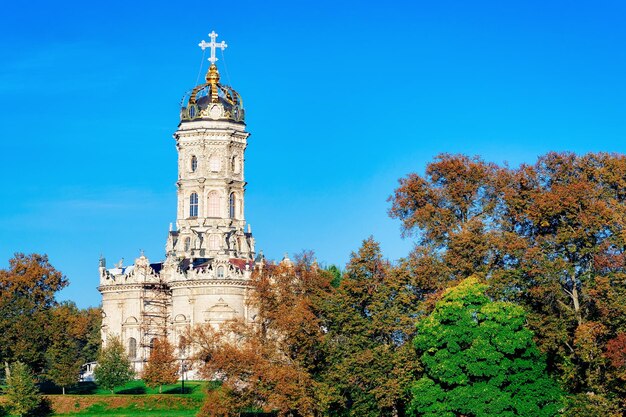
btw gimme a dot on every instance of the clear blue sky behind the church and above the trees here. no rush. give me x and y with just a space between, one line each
342 99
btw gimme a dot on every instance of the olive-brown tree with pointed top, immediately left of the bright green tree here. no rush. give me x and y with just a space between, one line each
369 323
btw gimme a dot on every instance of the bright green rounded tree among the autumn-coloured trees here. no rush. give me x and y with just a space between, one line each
480 360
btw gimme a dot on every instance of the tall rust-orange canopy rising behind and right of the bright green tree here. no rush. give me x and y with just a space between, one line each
550 236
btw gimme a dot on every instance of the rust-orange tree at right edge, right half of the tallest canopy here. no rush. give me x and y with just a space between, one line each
570 261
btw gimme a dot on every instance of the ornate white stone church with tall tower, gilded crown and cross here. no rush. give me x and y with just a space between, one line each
210 254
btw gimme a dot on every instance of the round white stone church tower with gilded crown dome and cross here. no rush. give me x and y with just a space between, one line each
211 140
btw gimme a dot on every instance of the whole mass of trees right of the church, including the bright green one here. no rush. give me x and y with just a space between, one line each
538 329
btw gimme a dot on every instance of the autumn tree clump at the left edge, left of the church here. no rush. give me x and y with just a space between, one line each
51 339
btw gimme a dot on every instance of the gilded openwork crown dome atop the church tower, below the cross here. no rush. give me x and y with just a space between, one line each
212 101
